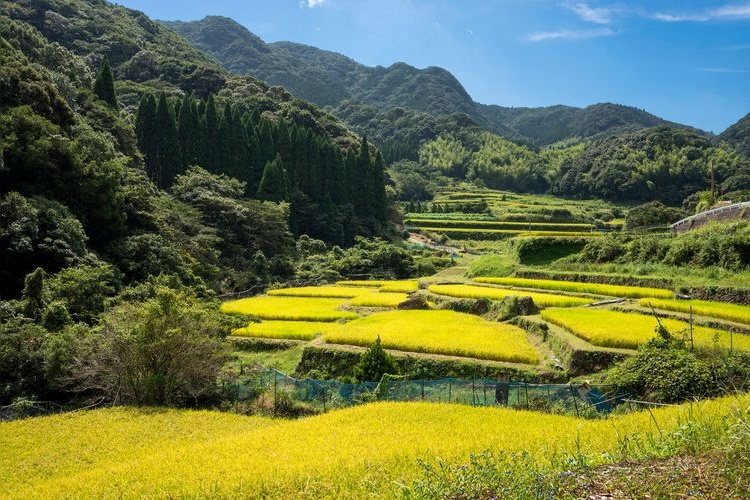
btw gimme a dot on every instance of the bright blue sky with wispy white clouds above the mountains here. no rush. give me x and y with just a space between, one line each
686 61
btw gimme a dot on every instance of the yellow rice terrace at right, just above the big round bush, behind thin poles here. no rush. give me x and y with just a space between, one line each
628 330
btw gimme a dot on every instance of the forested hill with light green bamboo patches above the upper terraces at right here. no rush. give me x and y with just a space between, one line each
661 163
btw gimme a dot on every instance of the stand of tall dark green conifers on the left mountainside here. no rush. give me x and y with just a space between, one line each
334 193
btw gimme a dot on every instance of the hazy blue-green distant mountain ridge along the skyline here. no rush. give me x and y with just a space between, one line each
330 79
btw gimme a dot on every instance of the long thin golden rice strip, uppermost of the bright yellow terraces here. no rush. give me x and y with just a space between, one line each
577 287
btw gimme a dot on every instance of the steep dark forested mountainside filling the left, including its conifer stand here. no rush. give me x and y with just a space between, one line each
127 153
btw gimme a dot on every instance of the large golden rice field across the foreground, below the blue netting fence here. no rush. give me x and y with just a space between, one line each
358 452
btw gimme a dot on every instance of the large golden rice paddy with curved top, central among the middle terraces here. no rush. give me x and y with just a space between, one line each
438 332
